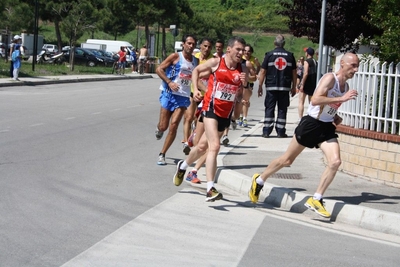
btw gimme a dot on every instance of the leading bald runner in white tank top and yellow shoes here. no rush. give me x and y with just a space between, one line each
331 92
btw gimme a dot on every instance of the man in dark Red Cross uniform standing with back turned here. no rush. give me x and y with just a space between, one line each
278 73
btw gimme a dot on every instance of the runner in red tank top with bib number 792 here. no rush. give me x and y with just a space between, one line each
225 84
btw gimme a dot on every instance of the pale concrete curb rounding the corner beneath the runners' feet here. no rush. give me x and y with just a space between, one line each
293 201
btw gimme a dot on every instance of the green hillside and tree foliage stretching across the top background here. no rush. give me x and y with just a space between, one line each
346 20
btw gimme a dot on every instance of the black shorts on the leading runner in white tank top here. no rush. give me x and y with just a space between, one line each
311 132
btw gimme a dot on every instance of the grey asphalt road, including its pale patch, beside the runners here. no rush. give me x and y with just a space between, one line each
80 187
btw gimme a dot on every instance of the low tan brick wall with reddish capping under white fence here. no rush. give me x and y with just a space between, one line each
370 155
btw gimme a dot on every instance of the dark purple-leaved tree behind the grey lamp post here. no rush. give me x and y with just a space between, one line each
346 20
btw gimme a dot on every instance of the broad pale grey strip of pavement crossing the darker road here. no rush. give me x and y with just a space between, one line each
165 235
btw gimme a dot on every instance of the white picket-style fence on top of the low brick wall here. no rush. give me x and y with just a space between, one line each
377 105
